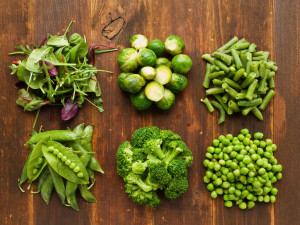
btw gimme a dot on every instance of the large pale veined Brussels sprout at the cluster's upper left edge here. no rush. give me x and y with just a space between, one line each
127 59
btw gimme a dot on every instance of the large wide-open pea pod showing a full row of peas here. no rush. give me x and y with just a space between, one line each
65 162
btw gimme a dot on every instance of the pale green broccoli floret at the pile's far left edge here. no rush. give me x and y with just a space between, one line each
124 159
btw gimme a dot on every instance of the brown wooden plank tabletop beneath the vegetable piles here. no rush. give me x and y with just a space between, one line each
204 25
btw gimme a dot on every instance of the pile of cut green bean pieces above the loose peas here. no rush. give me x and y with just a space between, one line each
242 79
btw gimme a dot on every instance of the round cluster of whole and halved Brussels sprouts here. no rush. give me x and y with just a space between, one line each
149 75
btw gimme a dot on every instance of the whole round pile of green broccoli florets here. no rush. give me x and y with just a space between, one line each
155 160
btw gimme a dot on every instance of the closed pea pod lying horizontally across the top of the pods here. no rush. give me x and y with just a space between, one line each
55 135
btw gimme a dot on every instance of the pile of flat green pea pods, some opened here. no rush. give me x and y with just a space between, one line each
62 160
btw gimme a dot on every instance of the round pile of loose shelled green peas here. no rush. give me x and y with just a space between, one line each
242 170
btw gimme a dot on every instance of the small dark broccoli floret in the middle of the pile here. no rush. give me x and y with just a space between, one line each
158 173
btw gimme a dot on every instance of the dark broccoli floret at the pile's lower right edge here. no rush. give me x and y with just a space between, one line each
176 187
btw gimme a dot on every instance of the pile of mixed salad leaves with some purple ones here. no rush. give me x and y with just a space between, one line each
58 73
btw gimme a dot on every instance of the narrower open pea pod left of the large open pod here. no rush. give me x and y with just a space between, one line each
36 161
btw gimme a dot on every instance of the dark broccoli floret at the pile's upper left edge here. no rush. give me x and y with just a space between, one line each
141 135
